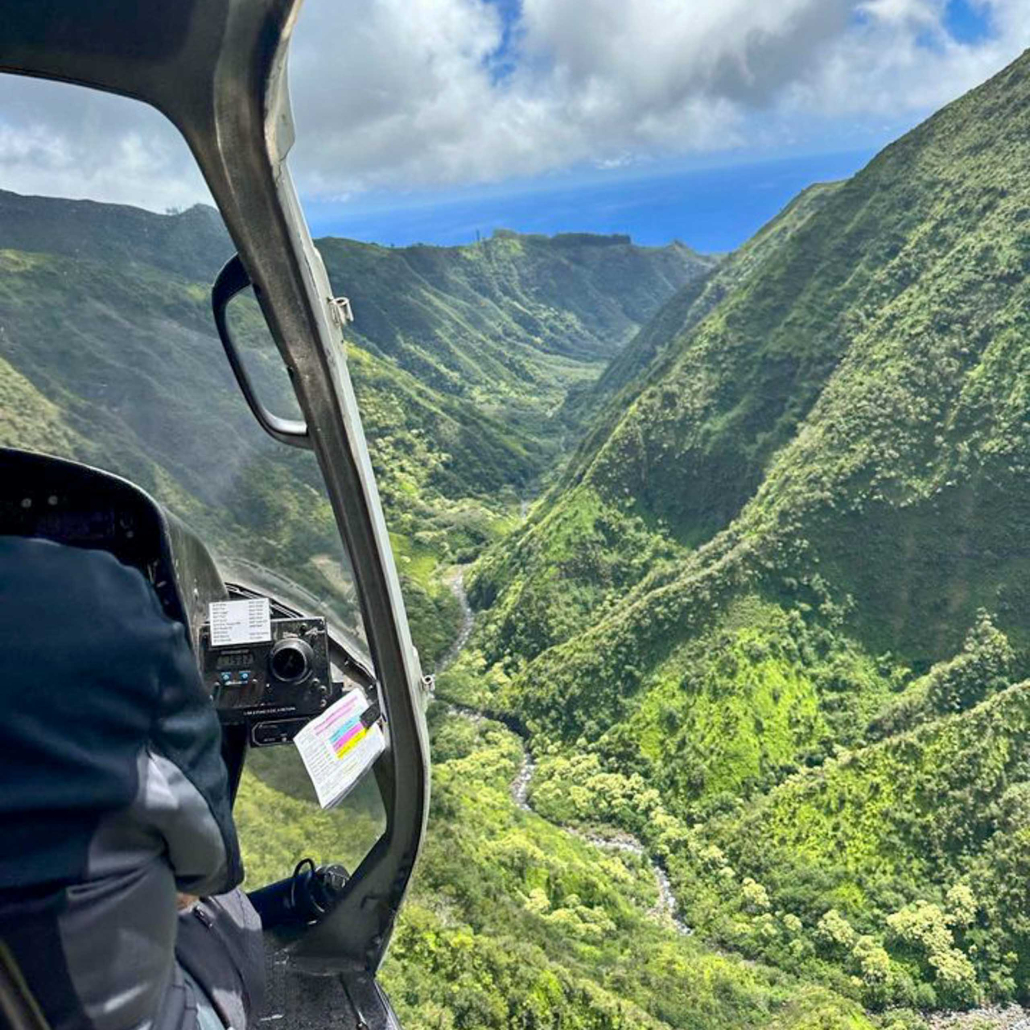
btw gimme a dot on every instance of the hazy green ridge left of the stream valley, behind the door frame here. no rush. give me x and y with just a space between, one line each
105 312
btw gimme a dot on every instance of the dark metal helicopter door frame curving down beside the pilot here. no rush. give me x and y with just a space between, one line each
218 71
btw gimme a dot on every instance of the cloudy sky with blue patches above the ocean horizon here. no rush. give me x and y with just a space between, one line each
414 93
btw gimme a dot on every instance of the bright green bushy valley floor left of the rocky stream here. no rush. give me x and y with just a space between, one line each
516 922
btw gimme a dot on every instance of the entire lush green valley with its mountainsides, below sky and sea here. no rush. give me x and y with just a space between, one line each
770 617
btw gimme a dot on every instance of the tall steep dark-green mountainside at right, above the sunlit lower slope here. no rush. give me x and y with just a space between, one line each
863 387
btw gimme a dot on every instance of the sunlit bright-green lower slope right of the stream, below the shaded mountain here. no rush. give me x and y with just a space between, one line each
779 827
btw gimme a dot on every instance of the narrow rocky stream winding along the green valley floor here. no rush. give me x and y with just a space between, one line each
666 909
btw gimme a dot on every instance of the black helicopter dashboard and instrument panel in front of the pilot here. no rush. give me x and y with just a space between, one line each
265 691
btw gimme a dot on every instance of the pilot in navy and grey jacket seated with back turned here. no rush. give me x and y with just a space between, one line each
115 806
